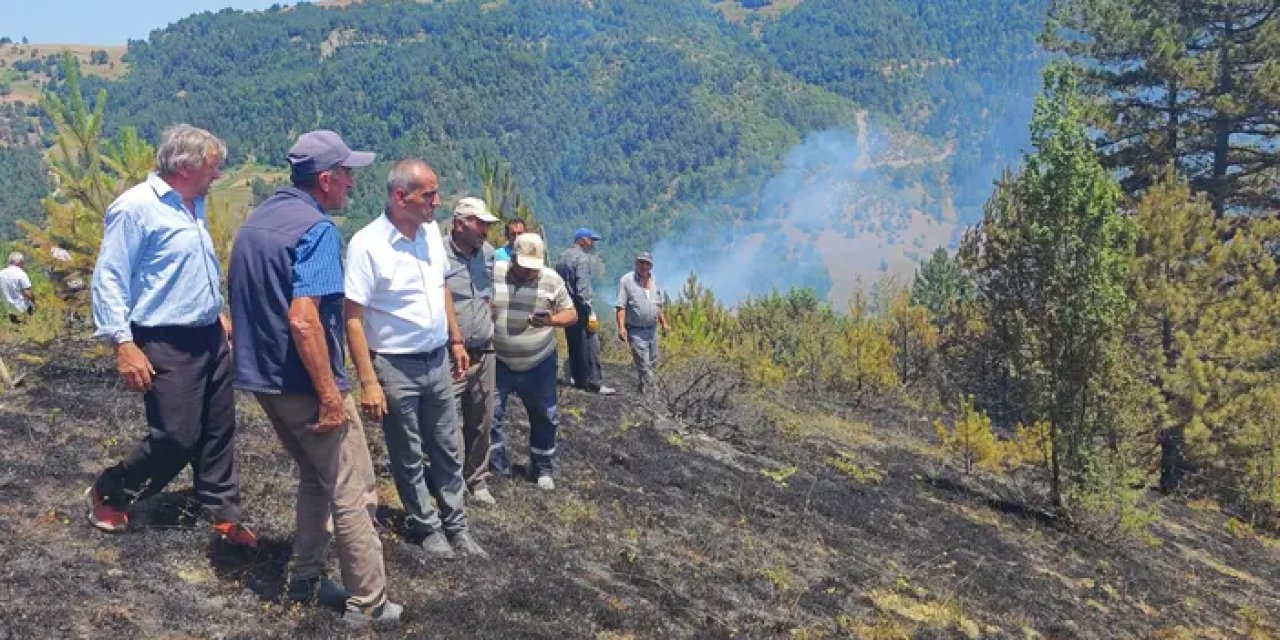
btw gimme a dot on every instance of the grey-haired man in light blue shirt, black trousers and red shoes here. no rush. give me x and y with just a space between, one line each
157 300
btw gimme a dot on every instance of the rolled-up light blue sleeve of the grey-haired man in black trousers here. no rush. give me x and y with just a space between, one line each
113 276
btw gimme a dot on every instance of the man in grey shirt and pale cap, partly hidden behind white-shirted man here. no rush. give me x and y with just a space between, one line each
470 282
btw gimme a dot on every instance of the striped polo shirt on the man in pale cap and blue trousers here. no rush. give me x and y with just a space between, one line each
518 345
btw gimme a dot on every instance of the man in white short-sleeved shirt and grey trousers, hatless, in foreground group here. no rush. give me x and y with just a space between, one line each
404 335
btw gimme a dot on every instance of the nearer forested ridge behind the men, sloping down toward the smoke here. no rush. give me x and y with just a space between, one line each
605 115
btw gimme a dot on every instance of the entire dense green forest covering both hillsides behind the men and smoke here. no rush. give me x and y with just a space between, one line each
623 116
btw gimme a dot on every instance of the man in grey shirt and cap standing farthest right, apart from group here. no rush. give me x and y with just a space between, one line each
639 314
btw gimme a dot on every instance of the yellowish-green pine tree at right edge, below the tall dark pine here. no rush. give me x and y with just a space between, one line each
1206 335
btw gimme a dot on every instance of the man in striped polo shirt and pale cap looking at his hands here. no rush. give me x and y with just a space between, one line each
531 301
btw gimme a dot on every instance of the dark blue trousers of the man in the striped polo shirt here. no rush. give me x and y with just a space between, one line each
537 390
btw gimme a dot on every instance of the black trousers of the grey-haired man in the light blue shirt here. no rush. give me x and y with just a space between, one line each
191 419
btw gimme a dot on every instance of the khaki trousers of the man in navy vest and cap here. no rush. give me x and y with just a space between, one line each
336 496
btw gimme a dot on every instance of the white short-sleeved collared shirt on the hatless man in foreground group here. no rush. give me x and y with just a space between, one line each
400 282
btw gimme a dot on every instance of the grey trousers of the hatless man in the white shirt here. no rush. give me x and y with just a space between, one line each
422 418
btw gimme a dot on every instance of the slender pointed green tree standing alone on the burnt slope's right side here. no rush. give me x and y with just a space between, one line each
1050 263
